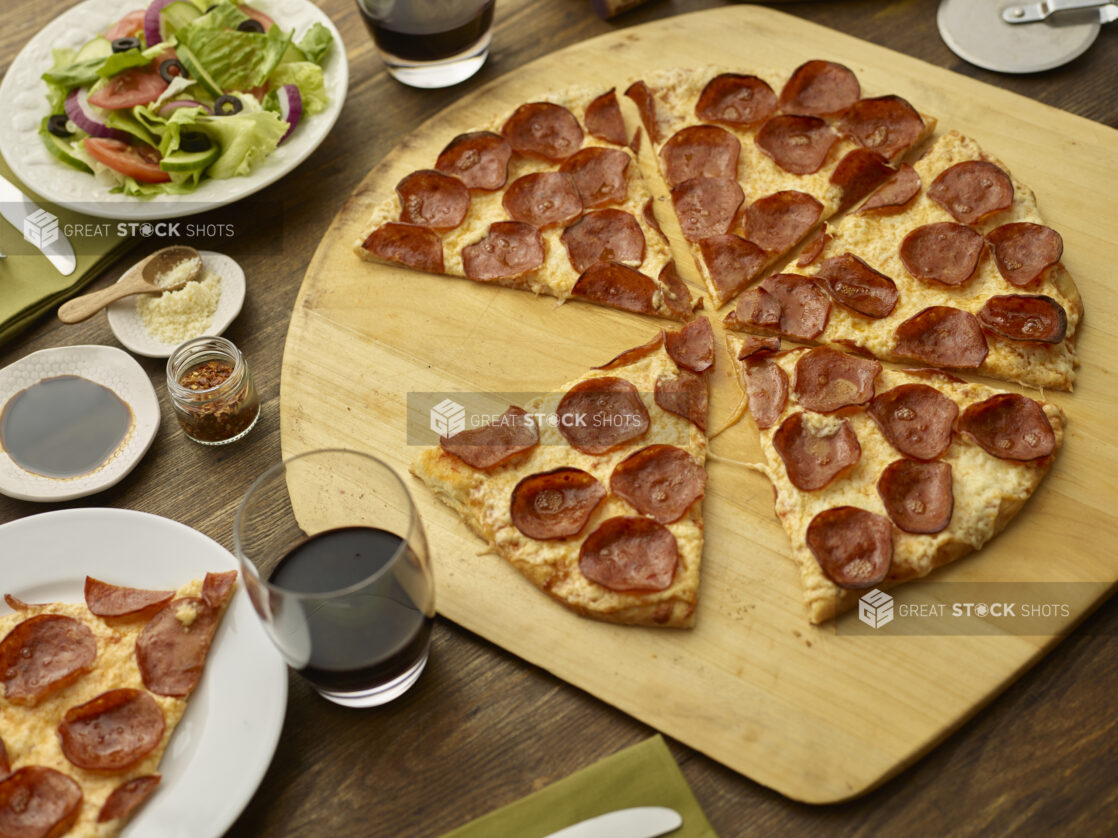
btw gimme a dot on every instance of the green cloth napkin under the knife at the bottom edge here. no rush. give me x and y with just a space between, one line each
645 775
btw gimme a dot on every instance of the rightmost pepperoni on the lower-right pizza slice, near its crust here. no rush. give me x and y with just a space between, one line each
1009 427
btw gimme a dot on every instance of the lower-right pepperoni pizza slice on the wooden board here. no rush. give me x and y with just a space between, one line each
883 475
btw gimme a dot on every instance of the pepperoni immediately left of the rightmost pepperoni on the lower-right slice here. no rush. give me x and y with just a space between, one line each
916 420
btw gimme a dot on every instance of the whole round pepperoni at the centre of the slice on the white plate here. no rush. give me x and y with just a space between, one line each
112 732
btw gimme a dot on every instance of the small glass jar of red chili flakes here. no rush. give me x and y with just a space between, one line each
212 391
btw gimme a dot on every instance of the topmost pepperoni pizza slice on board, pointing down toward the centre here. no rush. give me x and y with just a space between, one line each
755 163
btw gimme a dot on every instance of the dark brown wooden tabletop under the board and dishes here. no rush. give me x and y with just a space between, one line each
482 729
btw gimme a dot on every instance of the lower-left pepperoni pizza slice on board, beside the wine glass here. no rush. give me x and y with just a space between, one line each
595 493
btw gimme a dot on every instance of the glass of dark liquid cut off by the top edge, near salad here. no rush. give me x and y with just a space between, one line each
430 43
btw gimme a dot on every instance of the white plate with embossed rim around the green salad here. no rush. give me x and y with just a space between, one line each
24 96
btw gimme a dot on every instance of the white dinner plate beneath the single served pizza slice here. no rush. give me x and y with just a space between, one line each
220 753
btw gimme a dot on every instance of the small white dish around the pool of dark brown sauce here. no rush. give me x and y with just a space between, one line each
112 369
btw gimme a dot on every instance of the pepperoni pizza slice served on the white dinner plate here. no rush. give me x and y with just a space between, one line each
92 693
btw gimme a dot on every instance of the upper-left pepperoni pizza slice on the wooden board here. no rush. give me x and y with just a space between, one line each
542 202
